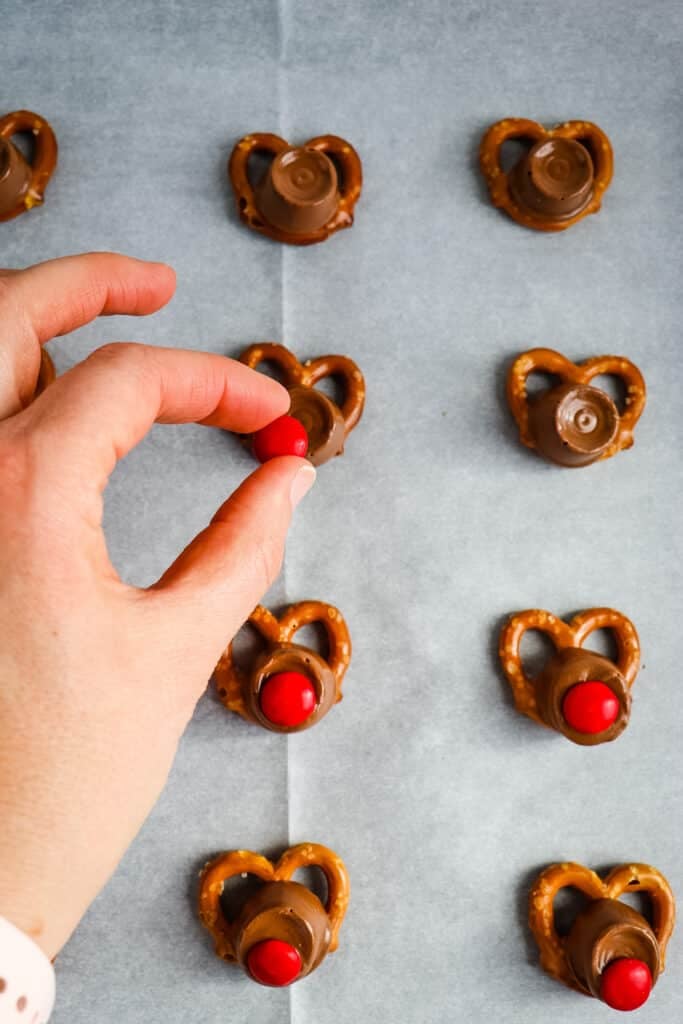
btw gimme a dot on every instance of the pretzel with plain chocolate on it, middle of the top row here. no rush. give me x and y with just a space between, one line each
303 195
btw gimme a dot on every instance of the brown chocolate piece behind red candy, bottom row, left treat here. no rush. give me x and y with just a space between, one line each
288 913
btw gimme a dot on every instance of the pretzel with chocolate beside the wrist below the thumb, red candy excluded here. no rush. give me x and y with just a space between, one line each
241 691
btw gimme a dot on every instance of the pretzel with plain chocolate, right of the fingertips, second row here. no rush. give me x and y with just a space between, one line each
575 423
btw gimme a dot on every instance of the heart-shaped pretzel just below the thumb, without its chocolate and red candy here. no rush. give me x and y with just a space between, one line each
231 678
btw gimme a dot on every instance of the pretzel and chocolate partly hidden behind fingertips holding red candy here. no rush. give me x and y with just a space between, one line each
327 424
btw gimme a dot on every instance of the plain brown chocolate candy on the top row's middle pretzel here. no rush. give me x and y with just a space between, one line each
300 192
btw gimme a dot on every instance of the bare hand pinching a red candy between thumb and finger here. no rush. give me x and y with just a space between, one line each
99 679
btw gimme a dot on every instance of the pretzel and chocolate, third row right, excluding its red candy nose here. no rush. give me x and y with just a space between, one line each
543 699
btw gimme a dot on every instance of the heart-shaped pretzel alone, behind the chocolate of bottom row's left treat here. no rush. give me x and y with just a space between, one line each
226 867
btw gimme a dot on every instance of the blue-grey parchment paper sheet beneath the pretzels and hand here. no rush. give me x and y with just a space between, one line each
437 524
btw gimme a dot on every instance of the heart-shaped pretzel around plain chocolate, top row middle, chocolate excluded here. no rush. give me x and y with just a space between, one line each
338 149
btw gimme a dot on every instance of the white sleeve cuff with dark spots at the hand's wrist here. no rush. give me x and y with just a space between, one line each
27 979
